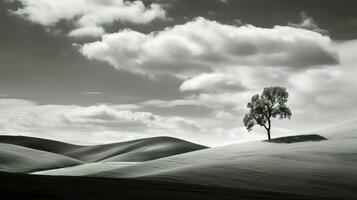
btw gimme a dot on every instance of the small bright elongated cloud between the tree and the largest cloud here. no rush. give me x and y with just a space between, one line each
238 79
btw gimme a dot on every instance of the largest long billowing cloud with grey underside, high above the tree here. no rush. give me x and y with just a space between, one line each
202 46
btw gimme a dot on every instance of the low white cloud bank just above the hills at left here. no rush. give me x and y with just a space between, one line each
85 124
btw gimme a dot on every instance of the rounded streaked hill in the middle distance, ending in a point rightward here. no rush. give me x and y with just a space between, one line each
135 151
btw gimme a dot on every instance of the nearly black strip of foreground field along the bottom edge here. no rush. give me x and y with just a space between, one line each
23 186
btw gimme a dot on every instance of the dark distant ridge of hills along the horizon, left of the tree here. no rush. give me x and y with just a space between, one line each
130 151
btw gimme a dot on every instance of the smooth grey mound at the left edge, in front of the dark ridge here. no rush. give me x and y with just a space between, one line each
15 158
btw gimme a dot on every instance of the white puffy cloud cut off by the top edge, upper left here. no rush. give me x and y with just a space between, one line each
88 15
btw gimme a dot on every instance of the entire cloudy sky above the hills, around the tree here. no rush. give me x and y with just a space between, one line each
99 71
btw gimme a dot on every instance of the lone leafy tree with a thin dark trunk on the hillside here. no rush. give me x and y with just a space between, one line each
270 104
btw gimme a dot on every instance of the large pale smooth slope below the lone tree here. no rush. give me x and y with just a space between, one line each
324 168
